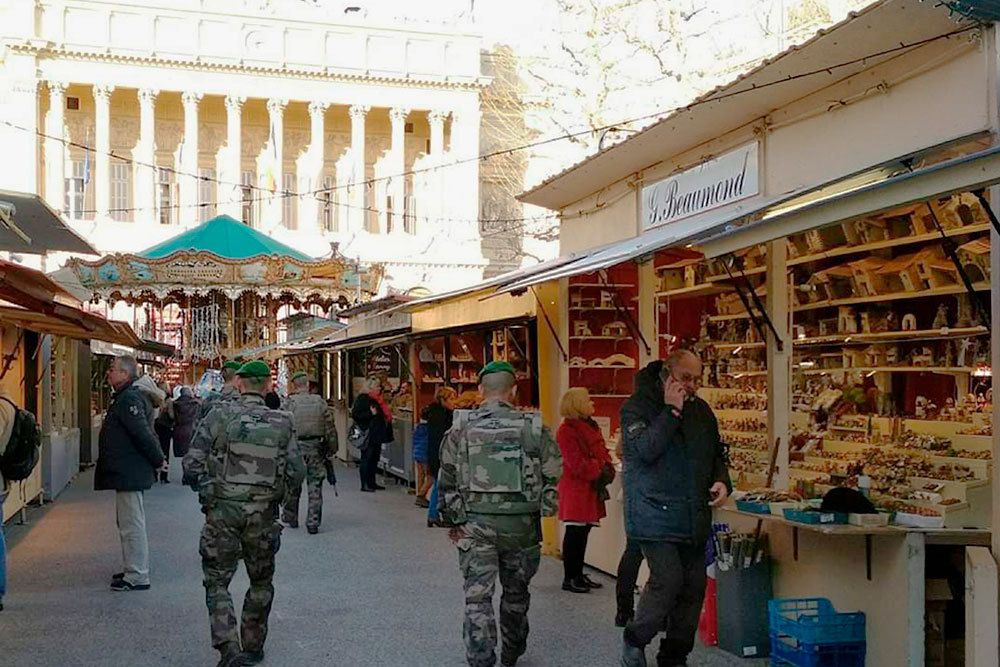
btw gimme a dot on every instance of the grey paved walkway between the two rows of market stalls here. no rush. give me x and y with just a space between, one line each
375 587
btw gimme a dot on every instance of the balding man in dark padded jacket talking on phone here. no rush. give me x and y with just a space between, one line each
675 473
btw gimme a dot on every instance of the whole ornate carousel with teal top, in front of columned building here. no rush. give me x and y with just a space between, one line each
223 290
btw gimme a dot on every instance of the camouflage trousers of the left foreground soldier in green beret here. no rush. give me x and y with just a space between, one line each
235 531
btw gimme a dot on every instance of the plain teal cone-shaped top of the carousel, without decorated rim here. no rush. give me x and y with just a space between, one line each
227 238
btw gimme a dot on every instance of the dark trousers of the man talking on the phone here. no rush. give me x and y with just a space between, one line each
672 600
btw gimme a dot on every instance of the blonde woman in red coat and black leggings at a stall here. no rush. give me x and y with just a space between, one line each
587 470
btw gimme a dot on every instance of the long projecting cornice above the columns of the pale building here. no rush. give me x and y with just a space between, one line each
325 74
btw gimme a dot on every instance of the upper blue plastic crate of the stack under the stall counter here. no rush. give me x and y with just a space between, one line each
814 621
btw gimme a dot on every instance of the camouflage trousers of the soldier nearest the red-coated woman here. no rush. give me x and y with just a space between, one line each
492 546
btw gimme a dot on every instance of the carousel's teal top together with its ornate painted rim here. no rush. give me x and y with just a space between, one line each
225 256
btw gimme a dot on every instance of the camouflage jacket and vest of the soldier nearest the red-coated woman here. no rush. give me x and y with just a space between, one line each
497 460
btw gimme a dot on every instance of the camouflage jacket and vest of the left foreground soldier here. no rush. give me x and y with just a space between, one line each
244 451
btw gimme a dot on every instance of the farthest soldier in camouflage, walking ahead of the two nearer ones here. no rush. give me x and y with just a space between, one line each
317 438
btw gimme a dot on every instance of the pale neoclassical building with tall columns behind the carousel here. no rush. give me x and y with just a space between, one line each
300 118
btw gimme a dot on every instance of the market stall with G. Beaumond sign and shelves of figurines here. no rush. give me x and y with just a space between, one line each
841 304
